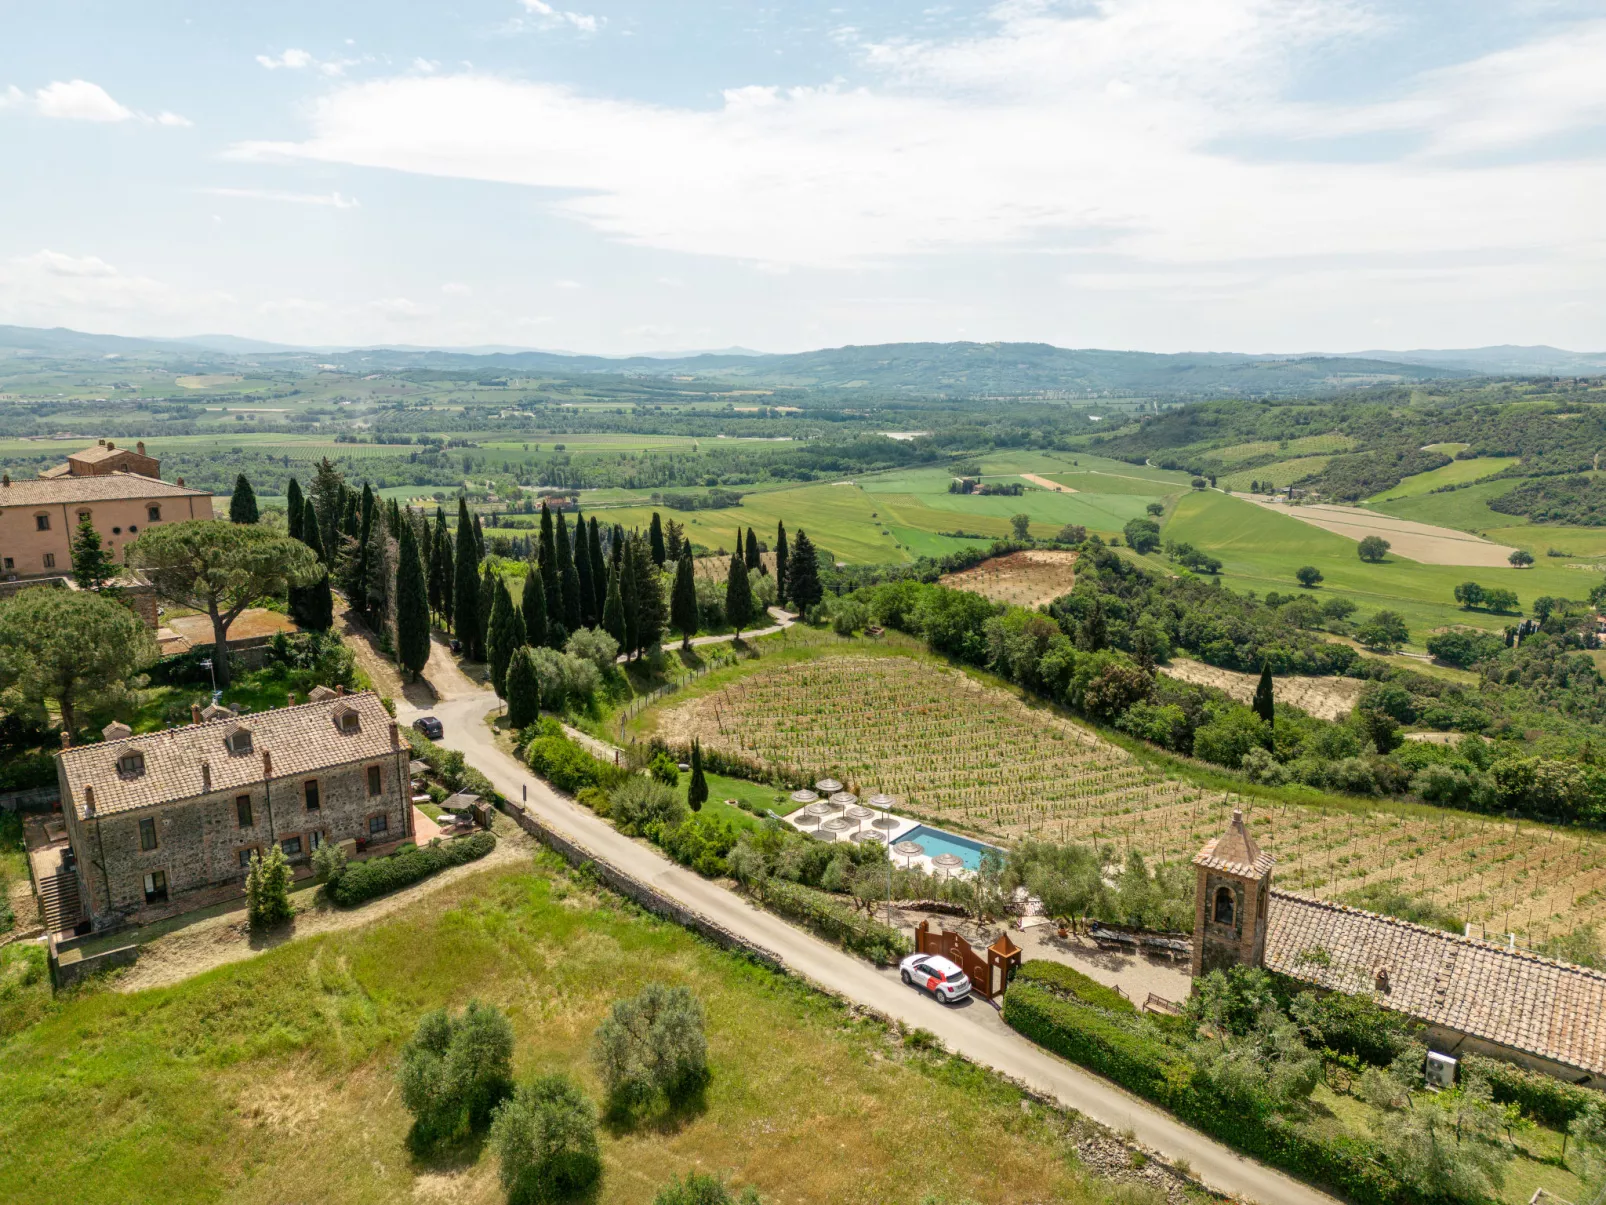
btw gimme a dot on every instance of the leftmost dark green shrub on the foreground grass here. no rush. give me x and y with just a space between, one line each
455 1071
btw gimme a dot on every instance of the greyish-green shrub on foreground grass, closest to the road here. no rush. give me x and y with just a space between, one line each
651 1045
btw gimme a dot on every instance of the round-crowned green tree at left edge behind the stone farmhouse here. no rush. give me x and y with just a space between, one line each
76 650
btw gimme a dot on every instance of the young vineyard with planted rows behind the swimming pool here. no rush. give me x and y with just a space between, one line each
956 751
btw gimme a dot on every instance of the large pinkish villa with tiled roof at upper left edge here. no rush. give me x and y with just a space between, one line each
120 491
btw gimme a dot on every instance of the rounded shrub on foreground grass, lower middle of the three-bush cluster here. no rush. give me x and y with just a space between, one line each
545 1137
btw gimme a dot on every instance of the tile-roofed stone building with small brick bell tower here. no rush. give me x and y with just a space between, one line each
1474 997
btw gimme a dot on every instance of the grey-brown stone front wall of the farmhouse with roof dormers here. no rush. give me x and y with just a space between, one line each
200 841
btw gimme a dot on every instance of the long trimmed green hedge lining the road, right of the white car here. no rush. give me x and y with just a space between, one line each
1162 1074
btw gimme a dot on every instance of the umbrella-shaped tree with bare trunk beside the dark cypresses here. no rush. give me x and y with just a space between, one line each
222 570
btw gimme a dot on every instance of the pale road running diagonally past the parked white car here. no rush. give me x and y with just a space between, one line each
972 1029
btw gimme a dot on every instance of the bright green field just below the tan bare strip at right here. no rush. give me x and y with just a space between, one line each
1262 550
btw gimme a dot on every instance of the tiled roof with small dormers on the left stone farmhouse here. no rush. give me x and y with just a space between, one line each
301 740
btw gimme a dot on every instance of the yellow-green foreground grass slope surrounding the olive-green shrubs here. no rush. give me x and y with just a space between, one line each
271 1080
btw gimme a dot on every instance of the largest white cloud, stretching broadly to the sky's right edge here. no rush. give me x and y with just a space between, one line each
1094 133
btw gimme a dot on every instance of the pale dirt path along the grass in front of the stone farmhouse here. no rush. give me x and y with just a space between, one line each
226 939
